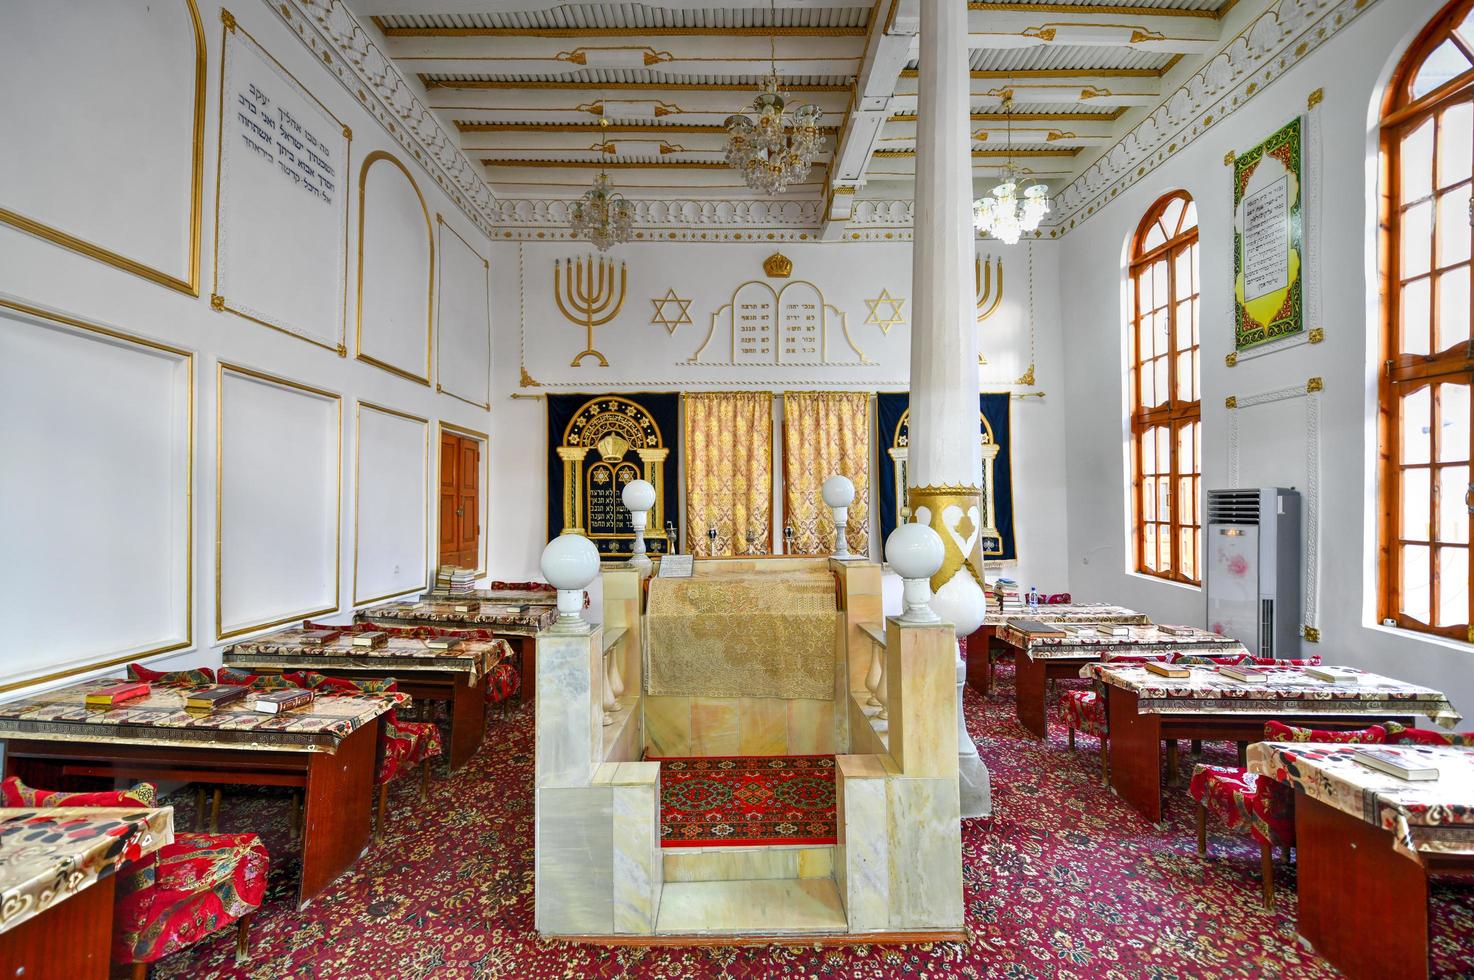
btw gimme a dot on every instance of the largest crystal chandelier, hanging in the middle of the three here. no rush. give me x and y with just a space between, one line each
778 148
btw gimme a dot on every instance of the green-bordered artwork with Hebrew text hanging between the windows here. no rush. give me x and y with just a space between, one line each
1270 239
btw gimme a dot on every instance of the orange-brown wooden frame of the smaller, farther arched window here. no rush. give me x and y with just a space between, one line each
1174 413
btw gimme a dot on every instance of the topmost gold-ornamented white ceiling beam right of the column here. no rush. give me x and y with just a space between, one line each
1009 26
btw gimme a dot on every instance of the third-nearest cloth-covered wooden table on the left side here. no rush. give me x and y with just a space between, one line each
456 677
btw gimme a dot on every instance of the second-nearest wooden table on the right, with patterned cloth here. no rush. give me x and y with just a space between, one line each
1145 710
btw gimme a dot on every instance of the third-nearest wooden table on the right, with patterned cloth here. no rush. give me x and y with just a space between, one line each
1041 659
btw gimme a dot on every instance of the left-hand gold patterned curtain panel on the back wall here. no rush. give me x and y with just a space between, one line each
729 472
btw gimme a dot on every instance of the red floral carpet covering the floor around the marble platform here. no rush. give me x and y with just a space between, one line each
1062 882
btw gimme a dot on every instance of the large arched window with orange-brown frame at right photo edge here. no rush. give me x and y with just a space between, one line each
1428 136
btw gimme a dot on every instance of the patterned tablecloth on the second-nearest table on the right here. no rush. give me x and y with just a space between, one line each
1285 692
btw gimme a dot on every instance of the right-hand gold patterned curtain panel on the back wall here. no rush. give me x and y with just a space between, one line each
826 434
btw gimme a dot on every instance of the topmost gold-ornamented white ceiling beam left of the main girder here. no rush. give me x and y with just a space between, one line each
704 55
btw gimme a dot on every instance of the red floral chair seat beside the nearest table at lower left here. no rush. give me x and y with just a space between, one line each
194 888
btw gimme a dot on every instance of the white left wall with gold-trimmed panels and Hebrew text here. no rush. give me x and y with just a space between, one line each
95 453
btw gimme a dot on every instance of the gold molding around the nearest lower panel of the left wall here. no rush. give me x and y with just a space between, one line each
92 331
